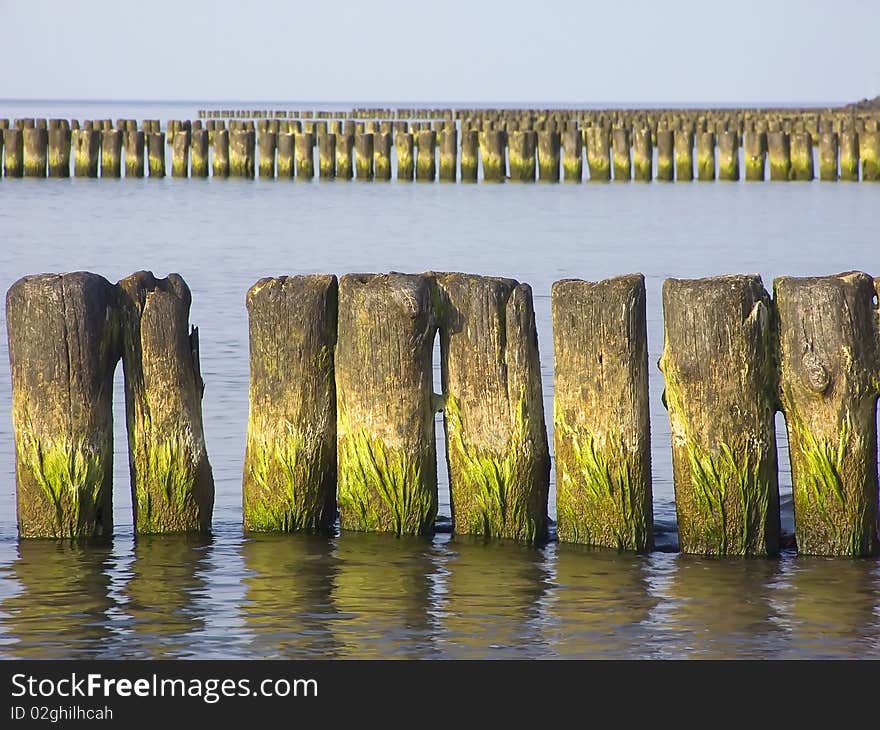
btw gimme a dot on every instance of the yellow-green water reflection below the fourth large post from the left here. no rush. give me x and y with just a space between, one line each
382 596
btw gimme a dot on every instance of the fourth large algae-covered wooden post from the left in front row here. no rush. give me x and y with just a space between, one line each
387 462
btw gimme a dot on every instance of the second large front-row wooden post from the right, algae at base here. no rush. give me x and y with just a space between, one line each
721 392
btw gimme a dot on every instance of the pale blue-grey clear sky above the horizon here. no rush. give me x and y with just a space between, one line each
577 52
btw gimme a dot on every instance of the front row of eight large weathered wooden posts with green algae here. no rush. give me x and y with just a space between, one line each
342 407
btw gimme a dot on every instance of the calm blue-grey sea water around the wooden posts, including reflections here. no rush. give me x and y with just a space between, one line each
357 595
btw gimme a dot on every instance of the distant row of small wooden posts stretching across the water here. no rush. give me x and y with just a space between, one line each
661 146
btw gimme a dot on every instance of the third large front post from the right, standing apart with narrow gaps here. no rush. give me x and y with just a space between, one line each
602 430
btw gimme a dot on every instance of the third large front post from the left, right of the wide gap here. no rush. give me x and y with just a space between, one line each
290 461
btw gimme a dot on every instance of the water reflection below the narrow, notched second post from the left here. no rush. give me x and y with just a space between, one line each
164 596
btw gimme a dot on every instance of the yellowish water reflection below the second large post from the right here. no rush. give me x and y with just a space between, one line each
723 608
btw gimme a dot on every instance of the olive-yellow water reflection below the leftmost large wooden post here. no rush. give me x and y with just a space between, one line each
63 609
